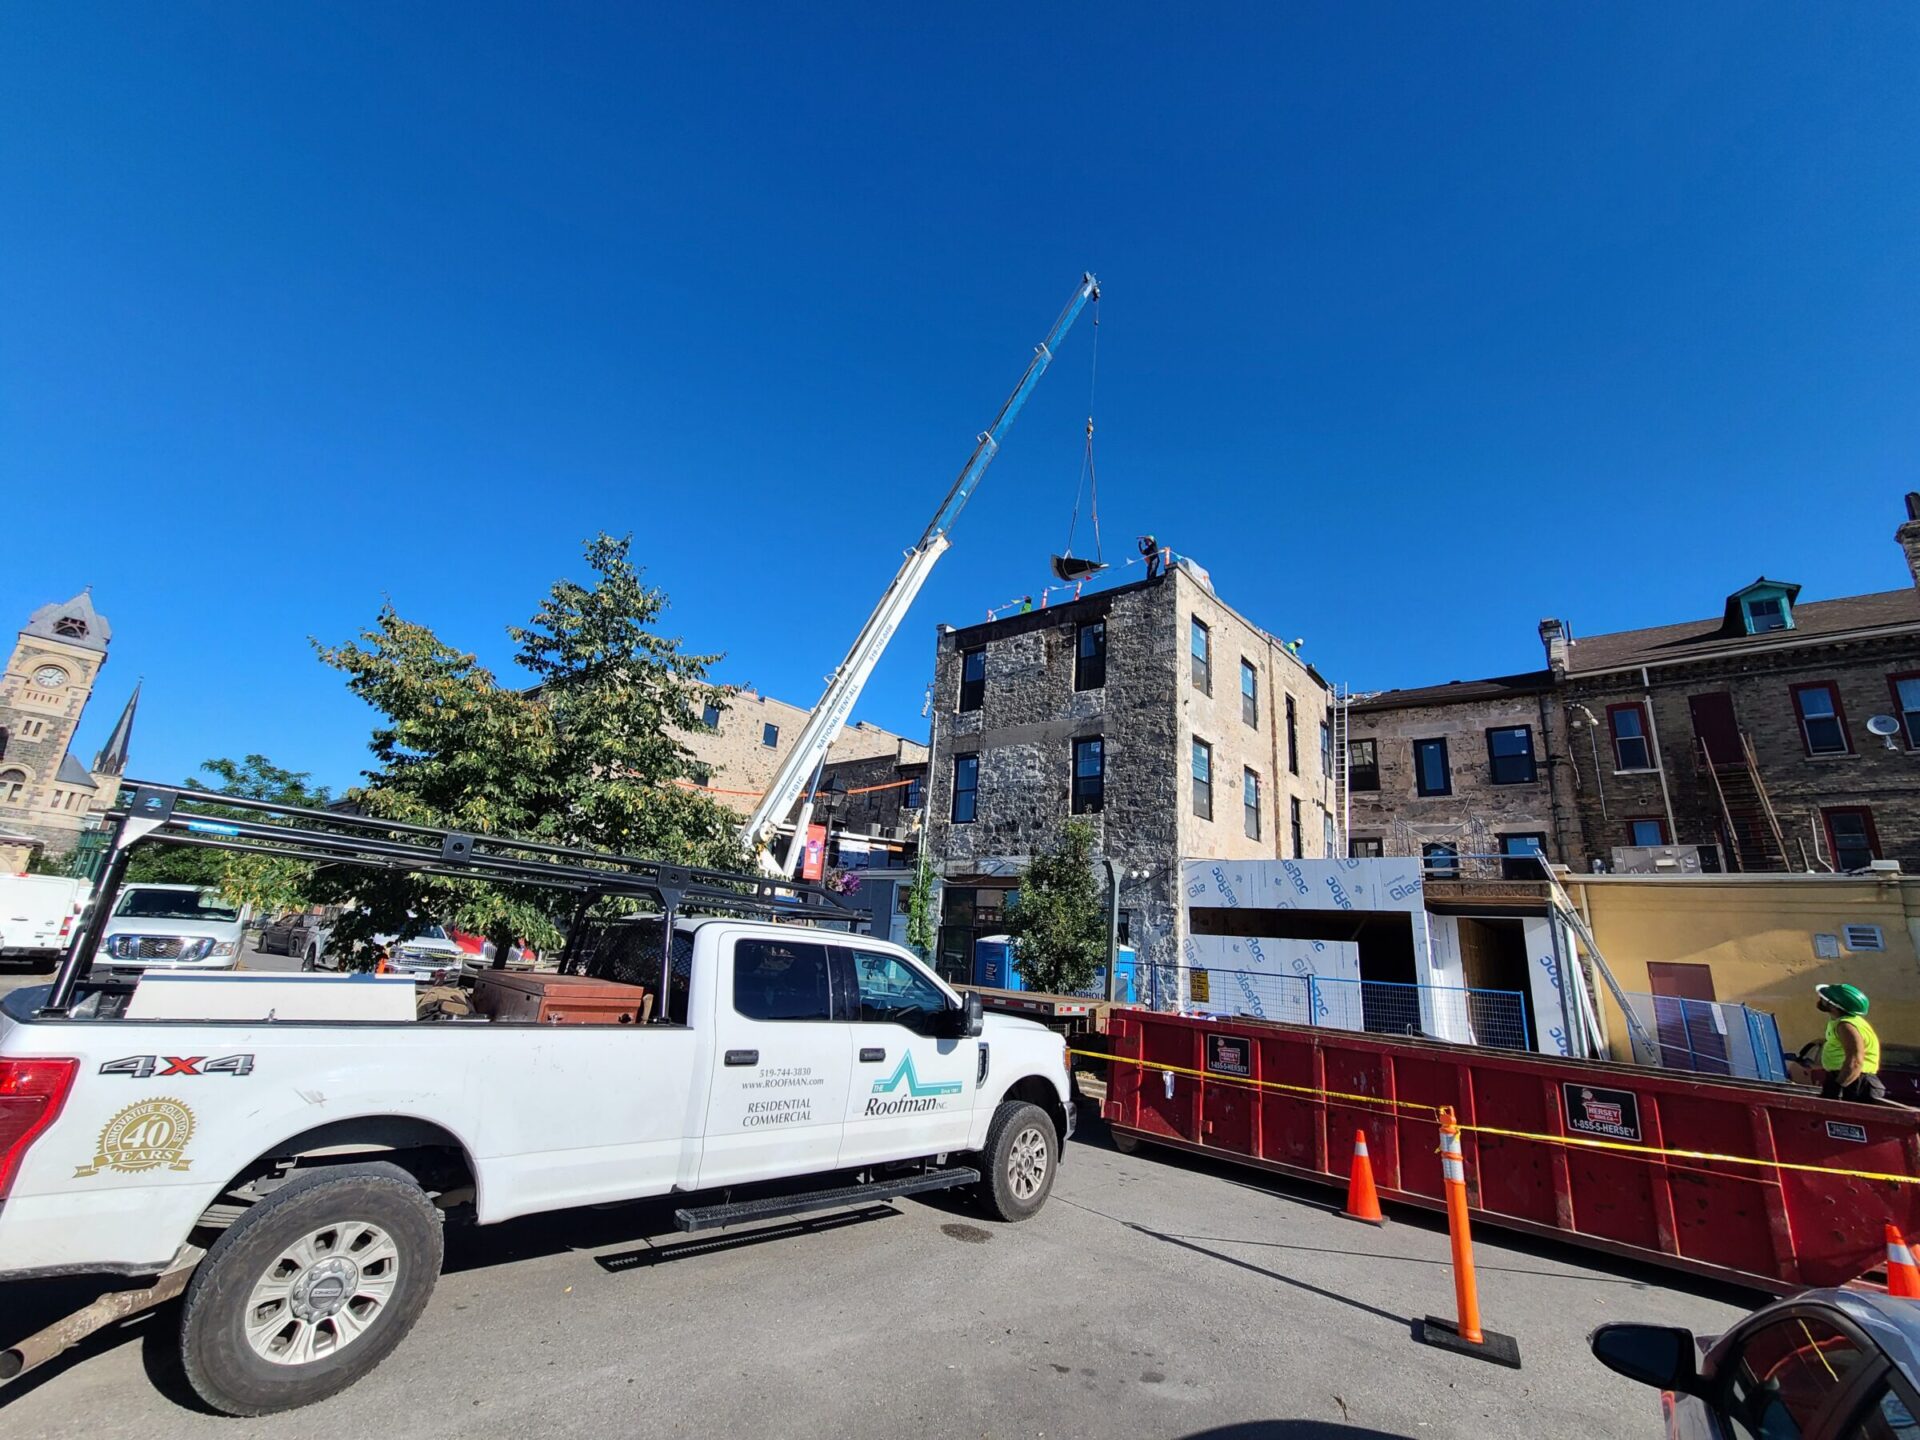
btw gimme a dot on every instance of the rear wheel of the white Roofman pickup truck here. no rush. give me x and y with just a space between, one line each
310 1289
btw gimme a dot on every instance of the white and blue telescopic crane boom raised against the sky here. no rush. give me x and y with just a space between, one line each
846 684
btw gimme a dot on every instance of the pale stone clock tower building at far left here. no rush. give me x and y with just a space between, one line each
47 798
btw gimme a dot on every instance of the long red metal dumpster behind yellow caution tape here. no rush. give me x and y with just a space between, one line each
1575 1151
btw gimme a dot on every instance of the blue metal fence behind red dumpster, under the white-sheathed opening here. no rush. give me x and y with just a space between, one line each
1378 1007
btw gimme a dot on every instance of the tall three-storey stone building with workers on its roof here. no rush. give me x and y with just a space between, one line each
1168 721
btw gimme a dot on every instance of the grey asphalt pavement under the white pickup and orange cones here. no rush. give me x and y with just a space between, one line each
1153 1297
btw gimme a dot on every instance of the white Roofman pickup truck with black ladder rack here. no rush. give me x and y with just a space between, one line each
289 1176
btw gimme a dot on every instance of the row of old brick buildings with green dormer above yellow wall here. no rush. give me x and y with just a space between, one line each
1737 742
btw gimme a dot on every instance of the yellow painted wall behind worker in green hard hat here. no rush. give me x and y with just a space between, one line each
1758 934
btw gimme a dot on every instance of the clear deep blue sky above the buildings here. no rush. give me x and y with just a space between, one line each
1420 324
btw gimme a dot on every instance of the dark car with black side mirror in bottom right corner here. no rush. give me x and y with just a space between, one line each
1821 1366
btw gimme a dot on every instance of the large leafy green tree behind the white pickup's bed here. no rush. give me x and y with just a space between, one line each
585 757
